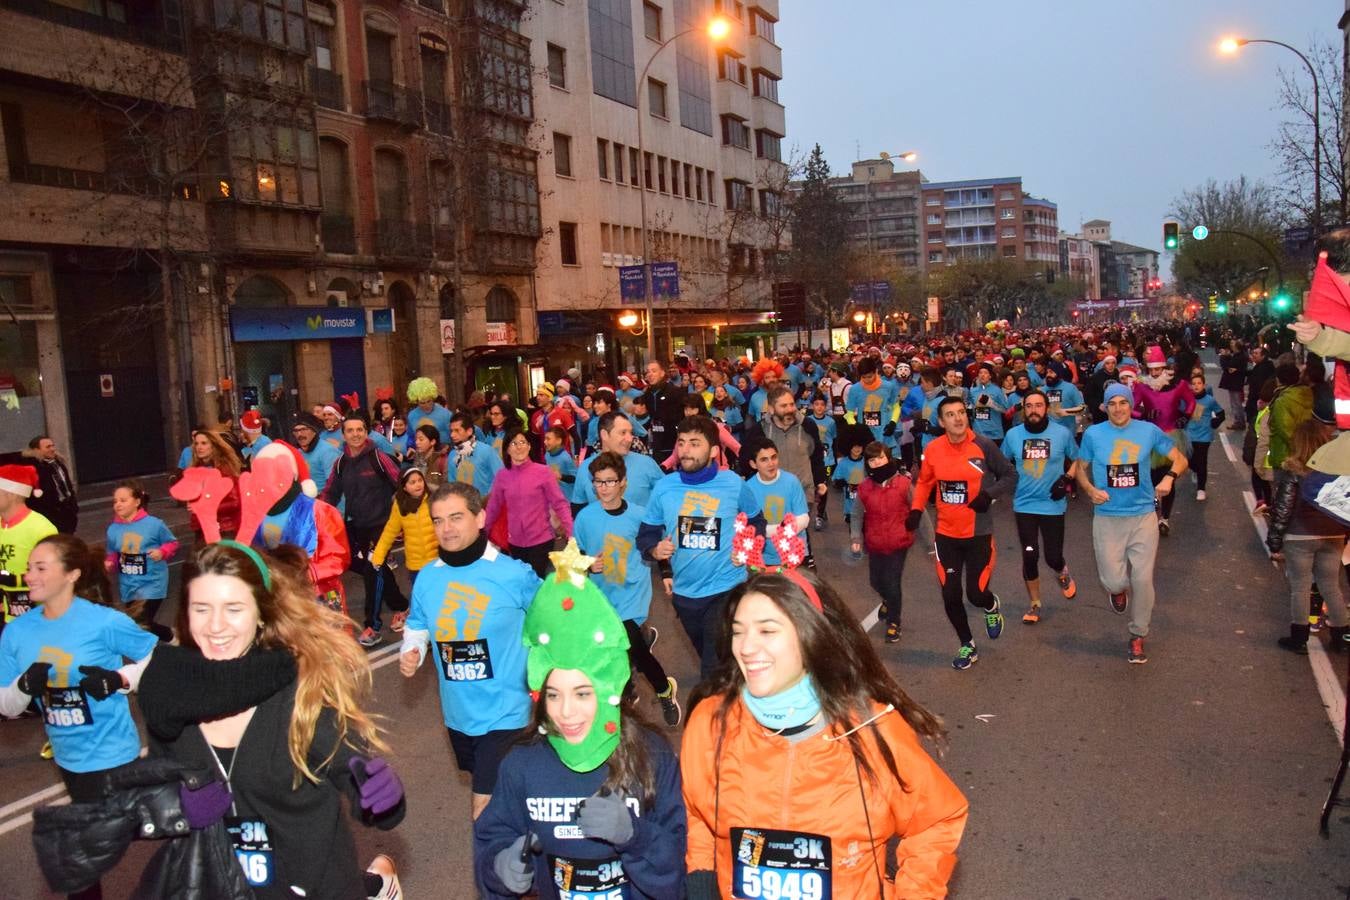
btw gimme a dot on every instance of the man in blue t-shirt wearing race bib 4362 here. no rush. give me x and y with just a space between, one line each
470 607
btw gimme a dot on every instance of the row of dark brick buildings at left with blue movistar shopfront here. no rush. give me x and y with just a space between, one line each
236 204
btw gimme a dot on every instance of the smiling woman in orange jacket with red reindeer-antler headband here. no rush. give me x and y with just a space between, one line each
807 760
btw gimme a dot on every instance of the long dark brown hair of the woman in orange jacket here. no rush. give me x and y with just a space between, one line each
839 656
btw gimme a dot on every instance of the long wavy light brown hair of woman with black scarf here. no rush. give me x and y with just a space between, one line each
334 670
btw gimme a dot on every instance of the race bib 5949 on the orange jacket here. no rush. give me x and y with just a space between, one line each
780 866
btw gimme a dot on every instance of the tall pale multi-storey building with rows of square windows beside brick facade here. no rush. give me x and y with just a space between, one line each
700 141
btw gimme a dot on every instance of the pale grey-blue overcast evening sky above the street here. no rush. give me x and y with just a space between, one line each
1110 110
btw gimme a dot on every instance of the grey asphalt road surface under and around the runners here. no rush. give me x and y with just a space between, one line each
1198 775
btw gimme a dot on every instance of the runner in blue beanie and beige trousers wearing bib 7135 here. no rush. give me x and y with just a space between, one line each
1125 526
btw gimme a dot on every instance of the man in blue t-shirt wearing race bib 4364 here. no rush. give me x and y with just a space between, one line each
691 522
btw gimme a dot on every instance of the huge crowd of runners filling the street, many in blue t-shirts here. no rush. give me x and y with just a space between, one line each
533 538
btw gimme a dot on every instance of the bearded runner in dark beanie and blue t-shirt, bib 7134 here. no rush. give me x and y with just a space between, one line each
1044 455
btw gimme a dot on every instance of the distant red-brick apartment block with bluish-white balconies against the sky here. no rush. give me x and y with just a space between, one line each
988 219
